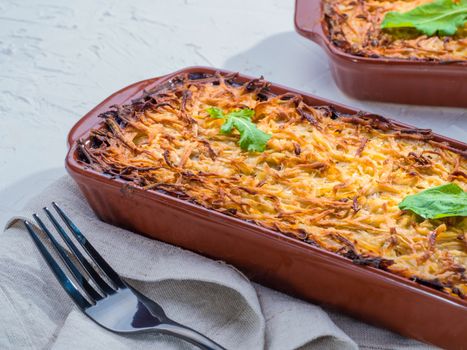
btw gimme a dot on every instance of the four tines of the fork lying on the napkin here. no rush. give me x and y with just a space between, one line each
92 292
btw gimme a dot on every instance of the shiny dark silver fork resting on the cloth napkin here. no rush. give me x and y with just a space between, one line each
115 306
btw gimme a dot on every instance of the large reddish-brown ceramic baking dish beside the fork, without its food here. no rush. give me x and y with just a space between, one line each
267 256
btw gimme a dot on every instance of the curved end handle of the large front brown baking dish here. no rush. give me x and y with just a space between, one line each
91 119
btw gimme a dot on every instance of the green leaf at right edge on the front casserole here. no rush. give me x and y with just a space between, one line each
437 202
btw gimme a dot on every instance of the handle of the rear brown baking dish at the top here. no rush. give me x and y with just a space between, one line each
308 20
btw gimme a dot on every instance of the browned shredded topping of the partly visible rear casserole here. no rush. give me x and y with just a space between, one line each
355 27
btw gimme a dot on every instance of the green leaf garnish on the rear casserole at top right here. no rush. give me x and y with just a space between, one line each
440 16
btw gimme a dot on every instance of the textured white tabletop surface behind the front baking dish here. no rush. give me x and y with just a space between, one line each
60 58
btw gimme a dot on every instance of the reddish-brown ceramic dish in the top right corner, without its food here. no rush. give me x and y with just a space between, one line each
389 80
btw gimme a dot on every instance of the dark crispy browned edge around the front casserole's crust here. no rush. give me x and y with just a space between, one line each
261 87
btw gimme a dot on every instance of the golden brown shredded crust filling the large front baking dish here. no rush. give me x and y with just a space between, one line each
331 180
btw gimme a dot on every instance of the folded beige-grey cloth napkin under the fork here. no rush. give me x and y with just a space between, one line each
209 296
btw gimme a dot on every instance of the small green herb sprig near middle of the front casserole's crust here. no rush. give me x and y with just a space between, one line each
251 138
